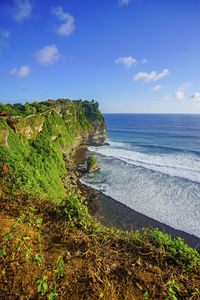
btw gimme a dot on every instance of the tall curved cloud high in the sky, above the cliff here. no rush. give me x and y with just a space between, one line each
68 26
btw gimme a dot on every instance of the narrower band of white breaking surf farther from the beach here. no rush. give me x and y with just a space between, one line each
183 165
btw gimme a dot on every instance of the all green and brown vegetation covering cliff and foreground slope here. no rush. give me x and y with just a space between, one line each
50 246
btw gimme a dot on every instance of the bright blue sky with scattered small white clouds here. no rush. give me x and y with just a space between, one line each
132 56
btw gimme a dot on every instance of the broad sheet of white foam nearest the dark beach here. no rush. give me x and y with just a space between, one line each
170 200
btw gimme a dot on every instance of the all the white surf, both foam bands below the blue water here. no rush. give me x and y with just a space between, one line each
126 175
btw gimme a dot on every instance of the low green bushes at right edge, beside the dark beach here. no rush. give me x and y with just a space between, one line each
178 250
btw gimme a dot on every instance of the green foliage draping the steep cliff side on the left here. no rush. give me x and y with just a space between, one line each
37 162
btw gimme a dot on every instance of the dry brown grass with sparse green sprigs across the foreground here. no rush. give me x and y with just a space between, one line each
80 263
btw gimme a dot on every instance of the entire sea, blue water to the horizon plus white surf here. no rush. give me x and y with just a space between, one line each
152 165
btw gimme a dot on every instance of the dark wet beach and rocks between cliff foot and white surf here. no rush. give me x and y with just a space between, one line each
110 212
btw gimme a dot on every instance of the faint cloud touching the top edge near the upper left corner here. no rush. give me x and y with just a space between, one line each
22 10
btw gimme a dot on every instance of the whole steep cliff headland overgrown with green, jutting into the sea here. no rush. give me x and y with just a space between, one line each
32 147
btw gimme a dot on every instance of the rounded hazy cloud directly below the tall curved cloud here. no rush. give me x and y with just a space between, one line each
47 55
